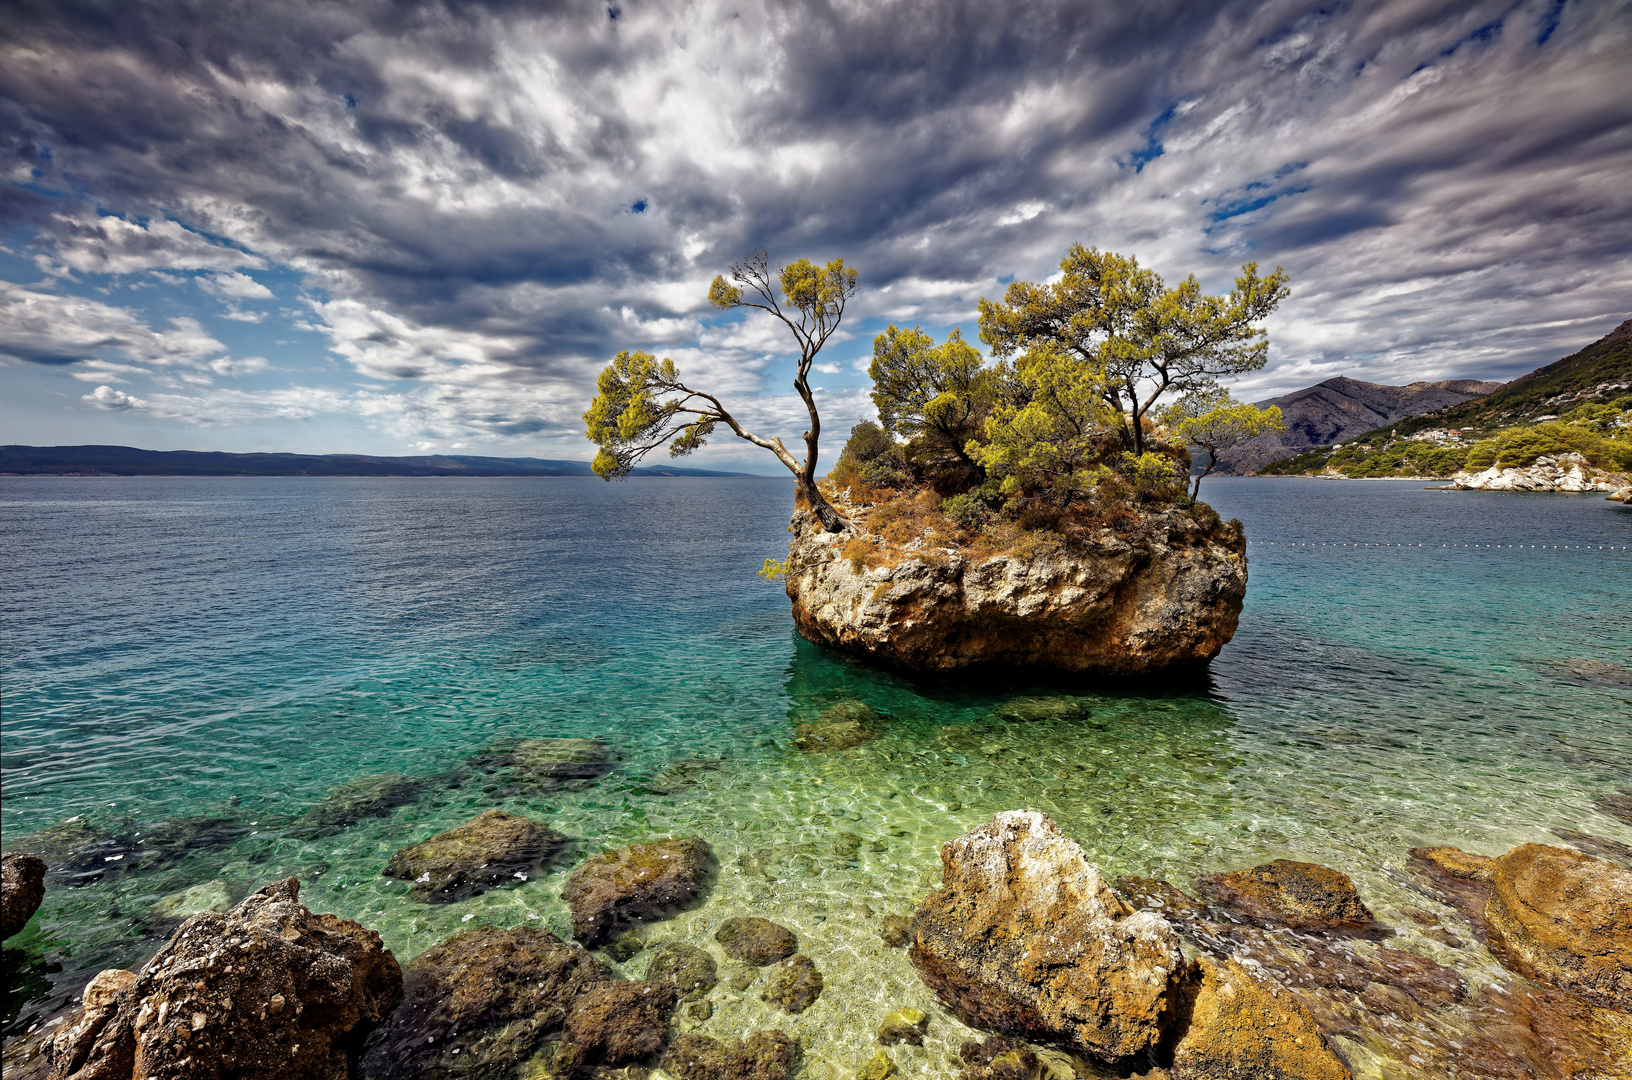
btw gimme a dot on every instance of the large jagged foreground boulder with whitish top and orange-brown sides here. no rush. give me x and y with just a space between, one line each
1024 937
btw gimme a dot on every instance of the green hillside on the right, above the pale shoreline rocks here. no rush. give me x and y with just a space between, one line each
1585 387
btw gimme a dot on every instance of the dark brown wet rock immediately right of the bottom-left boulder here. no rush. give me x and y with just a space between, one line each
481 1004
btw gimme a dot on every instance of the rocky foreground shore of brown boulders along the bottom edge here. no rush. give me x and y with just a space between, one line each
1279 972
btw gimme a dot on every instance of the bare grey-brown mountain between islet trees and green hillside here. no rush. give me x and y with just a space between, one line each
1341 409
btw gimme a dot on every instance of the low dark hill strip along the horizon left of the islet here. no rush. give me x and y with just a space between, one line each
94 461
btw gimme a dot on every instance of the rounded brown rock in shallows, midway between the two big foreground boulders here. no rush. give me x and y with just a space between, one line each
616 890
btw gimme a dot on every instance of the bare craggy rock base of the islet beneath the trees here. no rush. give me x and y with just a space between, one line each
1119 608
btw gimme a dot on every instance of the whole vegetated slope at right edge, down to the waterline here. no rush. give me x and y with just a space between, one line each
1581 404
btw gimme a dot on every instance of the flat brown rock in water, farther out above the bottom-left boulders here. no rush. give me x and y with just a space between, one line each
489 851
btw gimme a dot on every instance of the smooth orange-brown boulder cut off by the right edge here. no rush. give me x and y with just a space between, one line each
1566 919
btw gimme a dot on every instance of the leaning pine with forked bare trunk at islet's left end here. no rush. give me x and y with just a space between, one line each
642 404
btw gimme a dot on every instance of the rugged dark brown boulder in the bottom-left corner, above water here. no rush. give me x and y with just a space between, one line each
267 991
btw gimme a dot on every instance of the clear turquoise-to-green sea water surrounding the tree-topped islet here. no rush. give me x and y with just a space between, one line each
239 648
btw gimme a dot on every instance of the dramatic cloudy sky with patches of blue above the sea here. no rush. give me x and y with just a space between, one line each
424 228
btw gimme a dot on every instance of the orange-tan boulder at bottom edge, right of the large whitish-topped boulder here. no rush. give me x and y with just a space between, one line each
1248 1029
